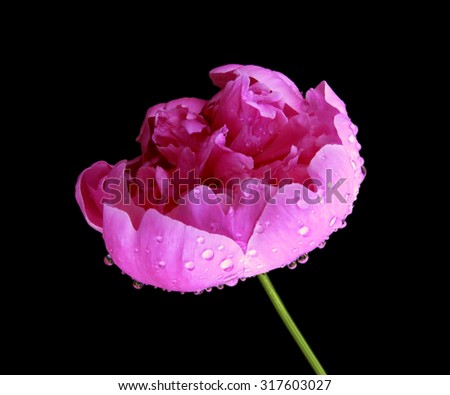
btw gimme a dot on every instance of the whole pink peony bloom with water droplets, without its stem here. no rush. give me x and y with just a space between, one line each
230 188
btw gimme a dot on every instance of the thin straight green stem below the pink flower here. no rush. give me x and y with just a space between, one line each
290 324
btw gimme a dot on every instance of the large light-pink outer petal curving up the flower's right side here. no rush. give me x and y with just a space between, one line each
288 230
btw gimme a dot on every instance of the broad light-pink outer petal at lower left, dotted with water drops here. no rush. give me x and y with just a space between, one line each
169 254
